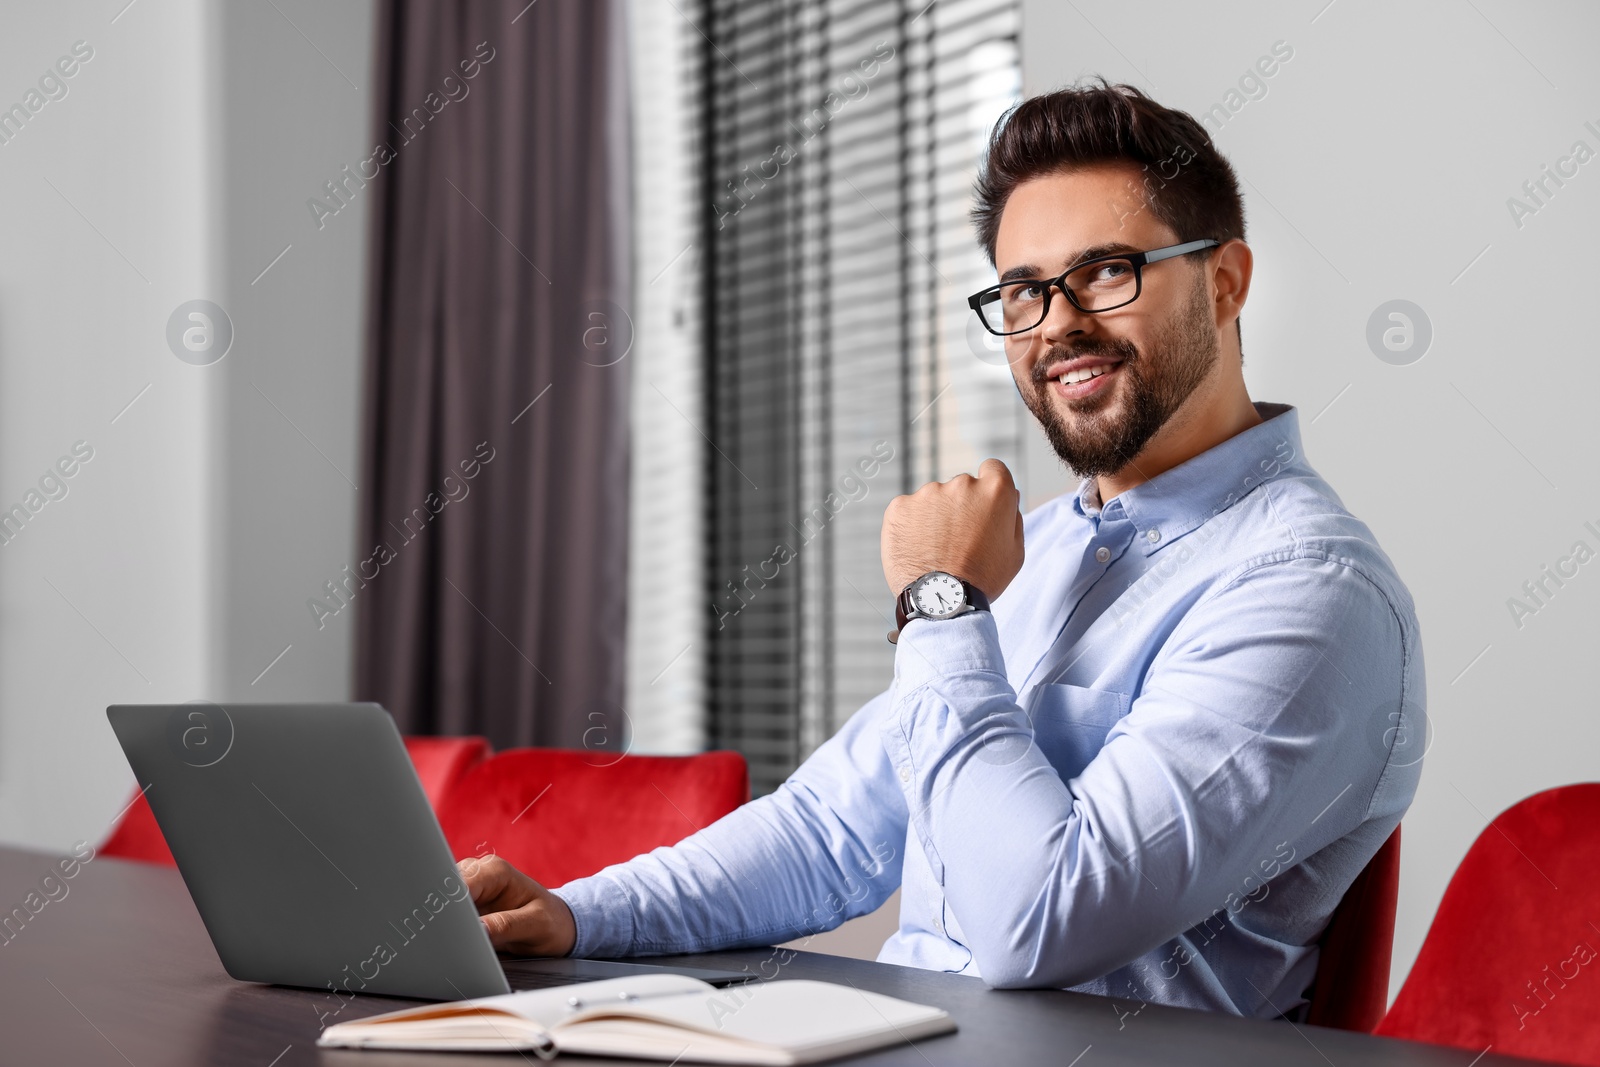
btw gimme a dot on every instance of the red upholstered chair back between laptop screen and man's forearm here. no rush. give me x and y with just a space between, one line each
566 813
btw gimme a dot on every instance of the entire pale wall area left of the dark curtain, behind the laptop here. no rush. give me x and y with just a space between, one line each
177 567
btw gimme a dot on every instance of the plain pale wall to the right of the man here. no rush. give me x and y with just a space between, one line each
1380 164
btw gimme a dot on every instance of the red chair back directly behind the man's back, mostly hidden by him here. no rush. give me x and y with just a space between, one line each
1353 972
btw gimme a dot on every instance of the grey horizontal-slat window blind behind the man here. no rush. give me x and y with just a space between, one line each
841 140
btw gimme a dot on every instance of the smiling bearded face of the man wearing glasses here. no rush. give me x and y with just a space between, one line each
1151 356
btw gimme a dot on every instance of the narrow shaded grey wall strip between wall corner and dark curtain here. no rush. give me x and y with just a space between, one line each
295 113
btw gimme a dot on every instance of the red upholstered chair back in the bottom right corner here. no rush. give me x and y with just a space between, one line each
1513 957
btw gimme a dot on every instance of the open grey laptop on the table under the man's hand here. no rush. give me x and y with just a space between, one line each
314 858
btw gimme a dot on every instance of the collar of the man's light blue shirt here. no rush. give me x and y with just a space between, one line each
1178 502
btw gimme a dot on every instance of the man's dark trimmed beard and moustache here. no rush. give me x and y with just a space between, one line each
1102 441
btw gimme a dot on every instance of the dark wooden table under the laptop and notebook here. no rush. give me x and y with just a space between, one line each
121 972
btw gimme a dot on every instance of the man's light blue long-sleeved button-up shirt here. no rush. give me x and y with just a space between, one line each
1151 773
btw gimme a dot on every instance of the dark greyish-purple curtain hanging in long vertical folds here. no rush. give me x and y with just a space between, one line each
494 533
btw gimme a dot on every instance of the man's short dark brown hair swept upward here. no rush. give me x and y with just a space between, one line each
1188 183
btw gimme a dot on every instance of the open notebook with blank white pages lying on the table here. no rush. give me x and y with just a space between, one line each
658 1017
